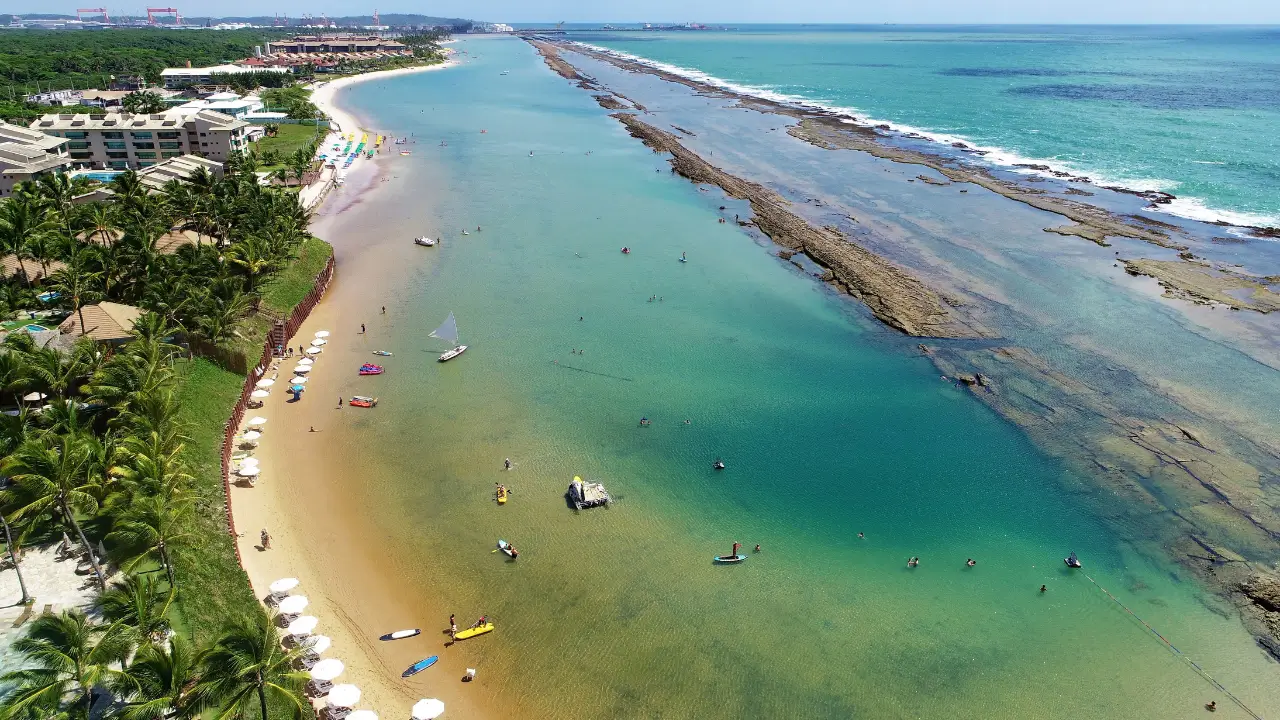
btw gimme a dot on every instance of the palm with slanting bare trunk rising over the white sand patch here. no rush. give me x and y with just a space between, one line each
54 479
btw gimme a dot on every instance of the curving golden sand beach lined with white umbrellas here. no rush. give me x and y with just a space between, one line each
317 536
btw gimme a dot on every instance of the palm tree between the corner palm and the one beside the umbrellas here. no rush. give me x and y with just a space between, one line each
159 682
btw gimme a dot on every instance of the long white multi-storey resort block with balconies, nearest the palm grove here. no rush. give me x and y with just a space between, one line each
120 142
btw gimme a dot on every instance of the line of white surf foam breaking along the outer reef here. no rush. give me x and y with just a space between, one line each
1190 208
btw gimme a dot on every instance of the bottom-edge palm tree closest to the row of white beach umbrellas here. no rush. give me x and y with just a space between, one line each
248 664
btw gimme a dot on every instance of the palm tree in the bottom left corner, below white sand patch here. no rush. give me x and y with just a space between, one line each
68 657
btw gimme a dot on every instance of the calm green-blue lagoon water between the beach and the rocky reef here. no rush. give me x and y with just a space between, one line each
829 423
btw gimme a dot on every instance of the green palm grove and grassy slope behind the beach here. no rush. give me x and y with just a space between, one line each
104 455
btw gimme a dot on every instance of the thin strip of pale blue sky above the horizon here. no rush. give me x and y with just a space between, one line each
1250 12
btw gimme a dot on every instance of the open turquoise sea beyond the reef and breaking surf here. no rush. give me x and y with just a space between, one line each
1190 111
